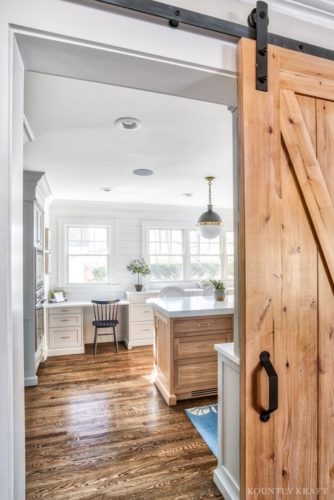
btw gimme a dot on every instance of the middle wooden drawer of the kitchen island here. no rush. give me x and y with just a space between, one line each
194 347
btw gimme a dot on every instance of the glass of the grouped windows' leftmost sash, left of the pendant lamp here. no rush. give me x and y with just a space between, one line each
166 254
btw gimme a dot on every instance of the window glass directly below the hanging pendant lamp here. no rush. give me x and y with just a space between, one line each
205 257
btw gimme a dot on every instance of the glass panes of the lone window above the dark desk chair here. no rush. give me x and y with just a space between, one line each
88 254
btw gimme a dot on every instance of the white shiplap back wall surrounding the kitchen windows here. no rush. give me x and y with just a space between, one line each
127 221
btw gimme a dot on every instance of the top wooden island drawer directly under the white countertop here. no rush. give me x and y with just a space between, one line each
207 324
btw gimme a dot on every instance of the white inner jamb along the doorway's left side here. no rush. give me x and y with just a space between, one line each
15 368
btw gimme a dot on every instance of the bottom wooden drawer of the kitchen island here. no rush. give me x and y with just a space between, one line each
194 374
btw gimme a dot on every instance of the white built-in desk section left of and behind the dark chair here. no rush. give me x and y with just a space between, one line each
69 326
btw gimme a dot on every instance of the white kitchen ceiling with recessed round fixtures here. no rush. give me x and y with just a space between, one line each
78 146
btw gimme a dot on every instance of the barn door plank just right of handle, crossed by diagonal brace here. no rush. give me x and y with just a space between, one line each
297 422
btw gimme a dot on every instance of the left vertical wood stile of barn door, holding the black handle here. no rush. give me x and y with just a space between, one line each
260 262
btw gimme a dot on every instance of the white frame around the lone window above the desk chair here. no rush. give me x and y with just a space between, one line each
64 224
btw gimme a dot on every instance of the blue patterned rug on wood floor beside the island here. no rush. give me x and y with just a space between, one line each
205 419
